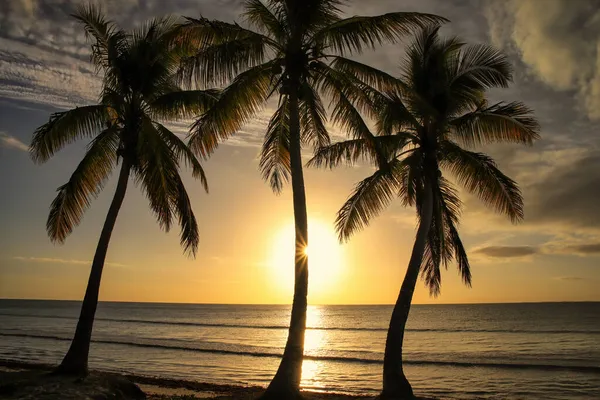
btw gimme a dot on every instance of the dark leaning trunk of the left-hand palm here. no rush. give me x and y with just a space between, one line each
76 359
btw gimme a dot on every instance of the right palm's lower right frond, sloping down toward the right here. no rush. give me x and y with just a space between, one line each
480 175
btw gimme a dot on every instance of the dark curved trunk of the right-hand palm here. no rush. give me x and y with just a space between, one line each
395 384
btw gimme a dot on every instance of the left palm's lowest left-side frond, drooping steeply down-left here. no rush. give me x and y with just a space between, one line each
88 179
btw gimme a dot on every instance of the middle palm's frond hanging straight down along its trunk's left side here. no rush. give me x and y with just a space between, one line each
274 162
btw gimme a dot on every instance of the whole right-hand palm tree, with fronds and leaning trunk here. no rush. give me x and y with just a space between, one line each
424 121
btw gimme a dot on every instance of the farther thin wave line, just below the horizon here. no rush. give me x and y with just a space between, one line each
317 328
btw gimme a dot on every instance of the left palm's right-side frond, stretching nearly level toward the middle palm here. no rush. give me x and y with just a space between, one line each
182 104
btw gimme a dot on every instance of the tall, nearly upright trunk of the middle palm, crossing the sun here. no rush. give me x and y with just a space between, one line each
286 383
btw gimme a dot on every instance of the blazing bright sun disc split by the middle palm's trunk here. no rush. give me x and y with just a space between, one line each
325 256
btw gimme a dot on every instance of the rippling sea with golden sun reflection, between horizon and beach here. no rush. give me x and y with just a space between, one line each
502 351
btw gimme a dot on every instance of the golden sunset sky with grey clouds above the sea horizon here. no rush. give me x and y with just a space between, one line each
245 250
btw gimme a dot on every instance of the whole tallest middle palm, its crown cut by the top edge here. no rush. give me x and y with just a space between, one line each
287 55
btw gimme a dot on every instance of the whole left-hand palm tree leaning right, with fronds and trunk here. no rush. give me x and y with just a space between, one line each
138 91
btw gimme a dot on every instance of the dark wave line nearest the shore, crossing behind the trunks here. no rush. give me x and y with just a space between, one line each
545 367
